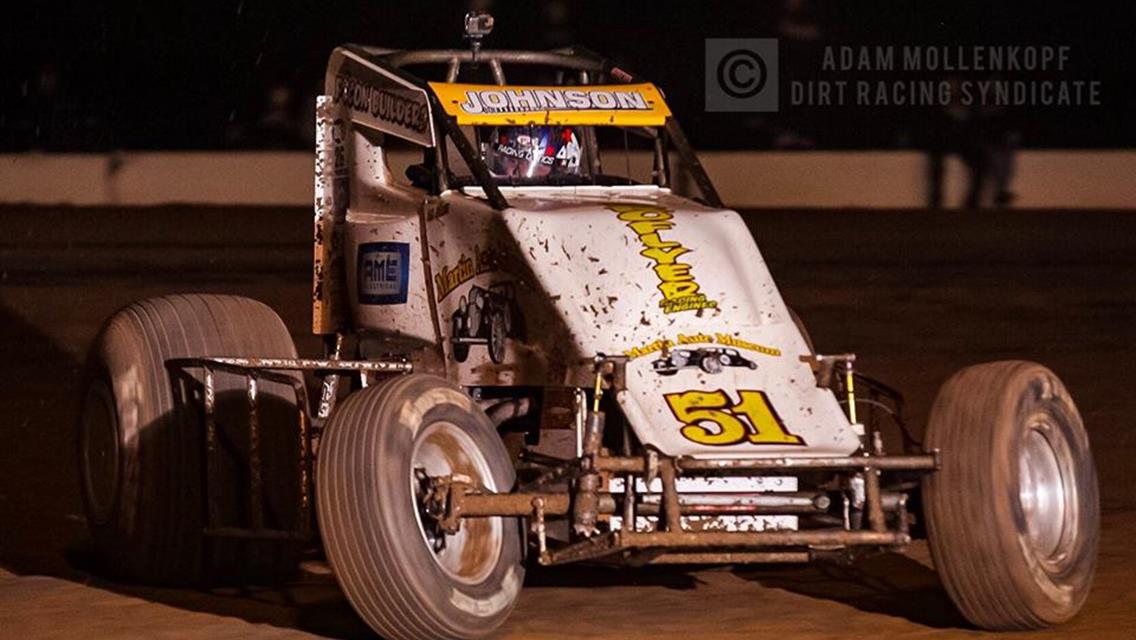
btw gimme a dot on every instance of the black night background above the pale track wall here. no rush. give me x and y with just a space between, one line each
82 76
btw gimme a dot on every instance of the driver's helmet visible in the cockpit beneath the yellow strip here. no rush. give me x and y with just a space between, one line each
533 152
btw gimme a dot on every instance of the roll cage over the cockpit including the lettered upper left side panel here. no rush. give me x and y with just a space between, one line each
380 94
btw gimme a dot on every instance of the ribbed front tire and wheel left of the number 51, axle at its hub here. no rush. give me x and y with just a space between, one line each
405 579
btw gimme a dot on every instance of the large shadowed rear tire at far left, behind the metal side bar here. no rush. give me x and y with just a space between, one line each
141 442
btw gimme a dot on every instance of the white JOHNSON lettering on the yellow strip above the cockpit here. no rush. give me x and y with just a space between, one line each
528 101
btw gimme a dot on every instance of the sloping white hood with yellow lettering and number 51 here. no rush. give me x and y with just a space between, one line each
683 292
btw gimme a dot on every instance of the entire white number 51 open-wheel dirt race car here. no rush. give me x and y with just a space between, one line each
429 473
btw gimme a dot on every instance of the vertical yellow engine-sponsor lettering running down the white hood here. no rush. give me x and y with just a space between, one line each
676 282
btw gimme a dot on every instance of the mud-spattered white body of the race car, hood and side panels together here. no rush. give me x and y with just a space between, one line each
633 271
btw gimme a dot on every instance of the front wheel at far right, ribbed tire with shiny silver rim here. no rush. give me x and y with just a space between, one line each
1013 516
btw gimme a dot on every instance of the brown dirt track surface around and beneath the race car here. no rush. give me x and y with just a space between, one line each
916 295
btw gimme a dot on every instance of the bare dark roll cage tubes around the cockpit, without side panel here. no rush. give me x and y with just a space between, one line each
575 60
